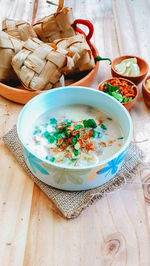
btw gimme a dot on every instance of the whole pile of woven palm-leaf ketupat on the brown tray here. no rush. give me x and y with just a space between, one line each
40 65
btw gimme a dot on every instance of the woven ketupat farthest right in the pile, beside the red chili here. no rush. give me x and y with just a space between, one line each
79 54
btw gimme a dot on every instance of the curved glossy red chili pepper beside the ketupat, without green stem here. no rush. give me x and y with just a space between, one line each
91 30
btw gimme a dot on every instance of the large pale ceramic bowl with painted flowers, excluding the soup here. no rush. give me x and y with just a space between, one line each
69 177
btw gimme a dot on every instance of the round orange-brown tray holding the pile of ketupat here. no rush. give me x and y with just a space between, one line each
21 95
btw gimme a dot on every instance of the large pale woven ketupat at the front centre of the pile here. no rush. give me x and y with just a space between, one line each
38 65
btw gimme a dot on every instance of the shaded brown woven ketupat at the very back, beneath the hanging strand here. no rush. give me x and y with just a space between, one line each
55 26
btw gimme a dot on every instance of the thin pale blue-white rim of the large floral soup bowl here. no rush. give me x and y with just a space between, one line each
104 162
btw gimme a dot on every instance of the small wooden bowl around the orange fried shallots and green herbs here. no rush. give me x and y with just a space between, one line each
129 104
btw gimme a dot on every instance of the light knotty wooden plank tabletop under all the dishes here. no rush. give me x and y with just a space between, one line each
115 230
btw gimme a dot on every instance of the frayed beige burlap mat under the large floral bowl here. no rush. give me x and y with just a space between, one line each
71 204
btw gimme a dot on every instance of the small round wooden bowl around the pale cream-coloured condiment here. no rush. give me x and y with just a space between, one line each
135 79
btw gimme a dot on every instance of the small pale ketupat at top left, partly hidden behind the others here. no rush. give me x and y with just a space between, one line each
18 29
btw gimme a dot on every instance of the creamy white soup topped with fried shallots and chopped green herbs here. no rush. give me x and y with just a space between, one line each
76 134
